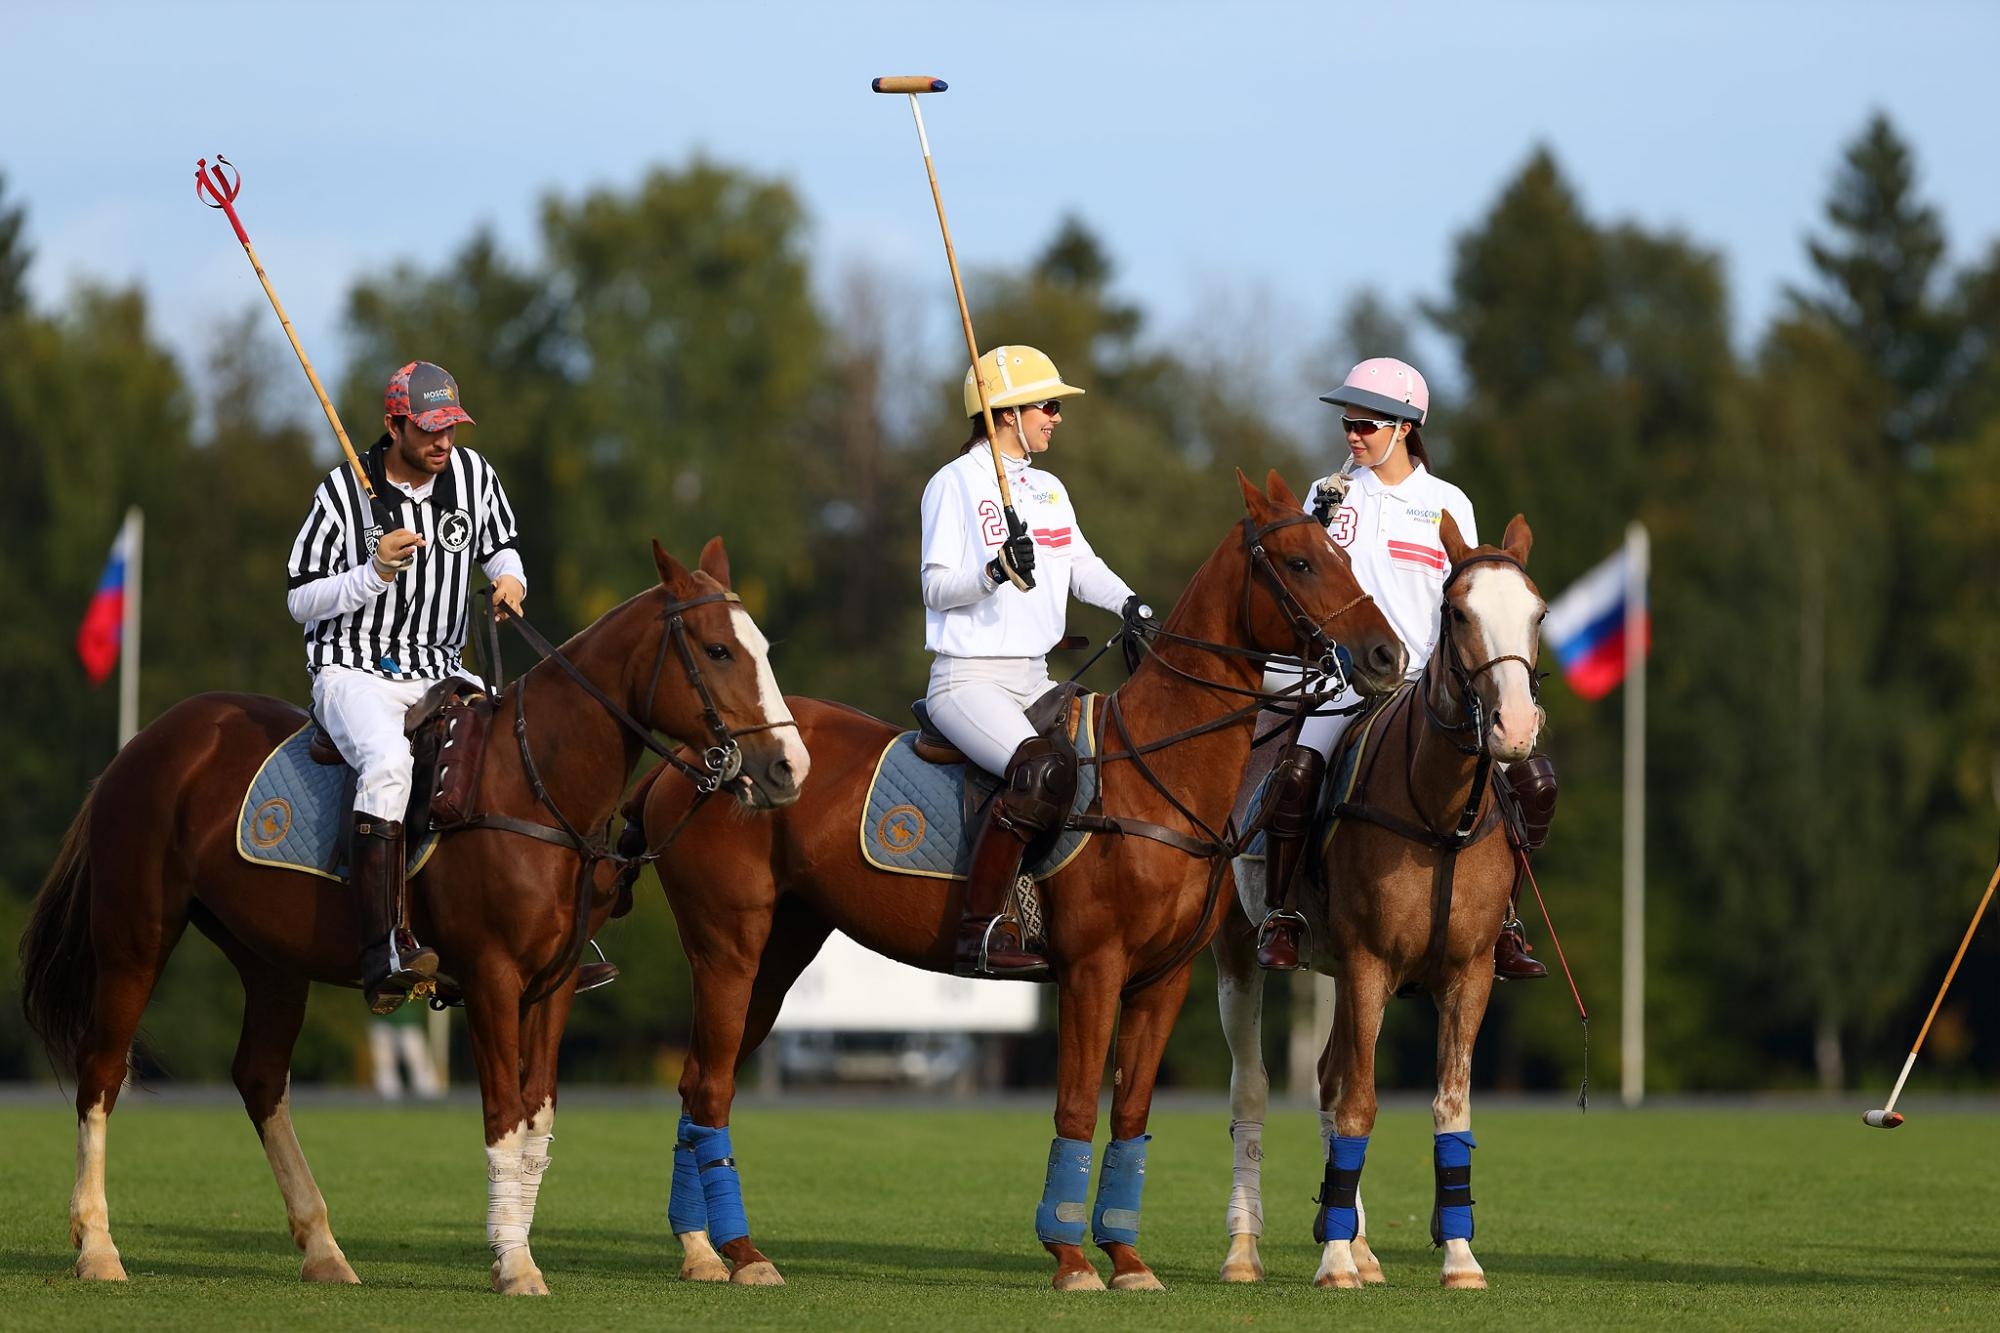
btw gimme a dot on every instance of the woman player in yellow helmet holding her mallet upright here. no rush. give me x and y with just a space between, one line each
991 637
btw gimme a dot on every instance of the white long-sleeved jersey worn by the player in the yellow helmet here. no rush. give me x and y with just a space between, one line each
965 611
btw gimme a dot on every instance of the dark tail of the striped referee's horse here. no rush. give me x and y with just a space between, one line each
59 968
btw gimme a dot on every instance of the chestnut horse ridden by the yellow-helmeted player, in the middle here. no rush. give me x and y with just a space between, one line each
1123 918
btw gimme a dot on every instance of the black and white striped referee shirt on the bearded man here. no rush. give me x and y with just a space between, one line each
411 629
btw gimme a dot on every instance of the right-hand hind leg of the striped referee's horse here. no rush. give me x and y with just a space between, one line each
275 1010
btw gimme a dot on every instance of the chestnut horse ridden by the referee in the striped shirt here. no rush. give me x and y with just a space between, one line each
155 848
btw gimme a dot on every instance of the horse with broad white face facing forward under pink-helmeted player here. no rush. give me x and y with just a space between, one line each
1415 890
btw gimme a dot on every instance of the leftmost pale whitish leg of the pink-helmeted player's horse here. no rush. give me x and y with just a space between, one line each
1241 1000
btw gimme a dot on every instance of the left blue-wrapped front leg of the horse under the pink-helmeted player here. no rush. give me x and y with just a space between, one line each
1347 1120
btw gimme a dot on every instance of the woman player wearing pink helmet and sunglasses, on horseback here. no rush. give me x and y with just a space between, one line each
1383 507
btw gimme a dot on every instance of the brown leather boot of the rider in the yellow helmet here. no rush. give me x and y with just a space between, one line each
1041 782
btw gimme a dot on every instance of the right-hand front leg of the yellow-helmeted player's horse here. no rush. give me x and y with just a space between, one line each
1145 1024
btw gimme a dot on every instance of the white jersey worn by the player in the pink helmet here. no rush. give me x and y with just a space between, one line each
1391 535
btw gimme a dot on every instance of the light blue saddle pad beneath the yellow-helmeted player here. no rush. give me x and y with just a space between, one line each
915 816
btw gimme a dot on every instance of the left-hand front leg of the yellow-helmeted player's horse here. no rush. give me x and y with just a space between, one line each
1089 1008
